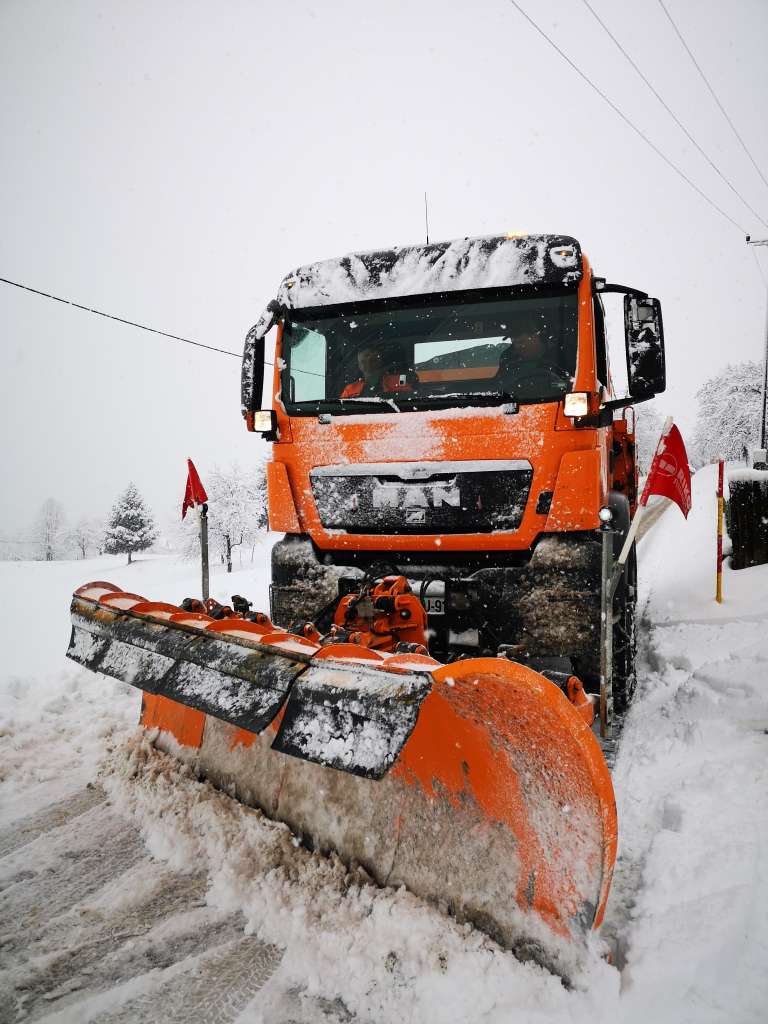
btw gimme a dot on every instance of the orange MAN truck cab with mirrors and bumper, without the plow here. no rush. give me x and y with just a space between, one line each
447 411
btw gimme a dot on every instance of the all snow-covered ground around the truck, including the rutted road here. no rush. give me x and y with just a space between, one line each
689 914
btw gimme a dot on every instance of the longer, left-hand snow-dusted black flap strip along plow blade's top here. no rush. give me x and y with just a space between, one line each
237 681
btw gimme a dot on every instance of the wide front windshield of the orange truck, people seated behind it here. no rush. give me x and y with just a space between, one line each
345 360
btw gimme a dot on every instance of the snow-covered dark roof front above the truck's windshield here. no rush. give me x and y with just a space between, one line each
494 262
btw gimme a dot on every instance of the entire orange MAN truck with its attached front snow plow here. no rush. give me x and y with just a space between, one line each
446 445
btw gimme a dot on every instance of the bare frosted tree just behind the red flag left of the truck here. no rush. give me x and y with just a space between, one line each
237 513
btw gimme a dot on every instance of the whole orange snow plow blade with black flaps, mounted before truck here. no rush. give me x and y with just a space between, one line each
477 785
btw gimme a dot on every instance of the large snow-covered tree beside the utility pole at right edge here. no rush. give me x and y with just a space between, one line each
730 411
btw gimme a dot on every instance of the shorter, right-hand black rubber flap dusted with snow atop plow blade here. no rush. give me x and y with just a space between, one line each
352 717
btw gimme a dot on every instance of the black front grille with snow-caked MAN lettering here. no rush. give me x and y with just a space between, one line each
423 498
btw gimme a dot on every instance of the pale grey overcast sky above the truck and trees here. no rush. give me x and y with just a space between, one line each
170 161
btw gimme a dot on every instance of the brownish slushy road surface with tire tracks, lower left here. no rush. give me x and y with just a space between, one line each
74 935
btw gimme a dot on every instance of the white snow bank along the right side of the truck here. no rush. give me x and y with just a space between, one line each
691 897
